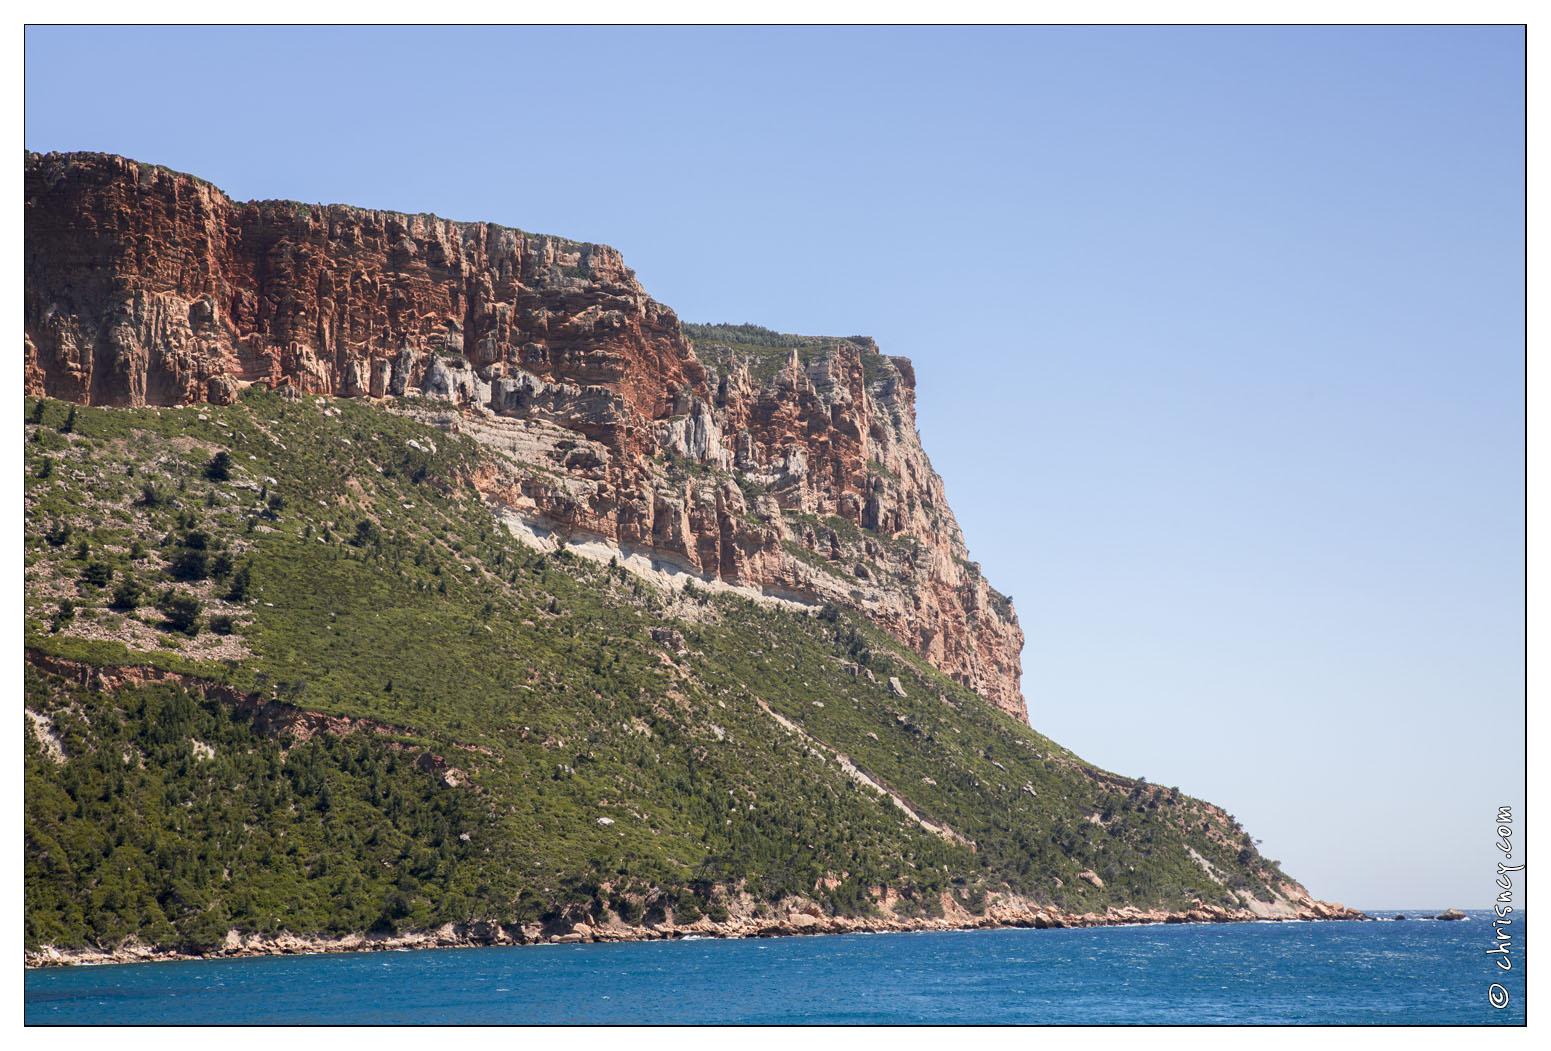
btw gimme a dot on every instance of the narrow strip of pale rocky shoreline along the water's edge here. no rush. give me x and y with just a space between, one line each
795 918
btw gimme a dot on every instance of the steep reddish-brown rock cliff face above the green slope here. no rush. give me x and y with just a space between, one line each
795 474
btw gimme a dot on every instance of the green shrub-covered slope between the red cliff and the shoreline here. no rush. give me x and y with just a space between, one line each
534 753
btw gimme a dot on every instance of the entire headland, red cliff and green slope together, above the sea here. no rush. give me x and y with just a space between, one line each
375 604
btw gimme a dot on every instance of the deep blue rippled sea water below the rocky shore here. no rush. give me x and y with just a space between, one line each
1243 974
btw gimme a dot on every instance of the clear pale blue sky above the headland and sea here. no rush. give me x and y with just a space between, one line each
1218 337
